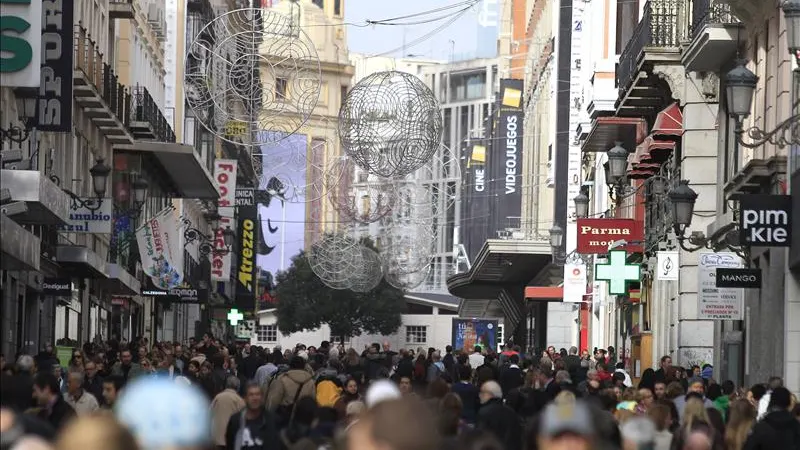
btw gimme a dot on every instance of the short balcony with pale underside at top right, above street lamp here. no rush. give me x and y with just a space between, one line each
714 36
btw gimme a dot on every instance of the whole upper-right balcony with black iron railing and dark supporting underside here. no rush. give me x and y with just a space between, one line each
655 43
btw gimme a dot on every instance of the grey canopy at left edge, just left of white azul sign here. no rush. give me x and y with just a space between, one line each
47 203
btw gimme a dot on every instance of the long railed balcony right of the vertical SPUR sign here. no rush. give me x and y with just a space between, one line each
97 90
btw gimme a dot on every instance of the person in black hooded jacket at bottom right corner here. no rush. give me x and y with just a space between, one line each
778 429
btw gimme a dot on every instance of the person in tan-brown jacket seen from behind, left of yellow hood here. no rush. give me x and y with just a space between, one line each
289 387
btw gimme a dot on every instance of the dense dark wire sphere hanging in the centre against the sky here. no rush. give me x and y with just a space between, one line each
390 124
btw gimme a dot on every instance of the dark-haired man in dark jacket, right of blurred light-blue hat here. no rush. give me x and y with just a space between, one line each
254 428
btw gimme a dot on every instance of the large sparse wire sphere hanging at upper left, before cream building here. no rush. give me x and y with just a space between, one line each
249 70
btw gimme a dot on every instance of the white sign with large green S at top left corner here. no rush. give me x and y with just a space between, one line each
21 42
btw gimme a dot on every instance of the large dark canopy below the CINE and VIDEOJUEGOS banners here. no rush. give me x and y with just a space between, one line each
501 266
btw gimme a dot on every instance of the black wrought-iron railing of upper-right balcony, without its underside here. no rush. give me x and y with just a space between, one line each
658 29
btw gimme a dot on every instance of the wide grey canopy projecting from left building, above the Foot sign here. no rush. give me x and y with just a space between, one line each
190 177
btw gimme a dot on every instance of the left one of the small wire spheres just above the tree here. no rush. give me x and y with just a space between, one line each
335 258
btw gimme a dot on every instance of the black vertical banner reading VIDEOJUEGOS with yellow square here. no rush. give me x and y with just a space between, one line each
506 164
